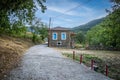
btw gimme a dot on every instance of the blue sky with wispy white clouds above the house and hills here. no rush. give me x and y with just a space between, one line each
72 13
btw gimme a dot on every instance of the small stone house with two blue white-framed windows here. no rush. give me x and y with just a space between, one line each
60 37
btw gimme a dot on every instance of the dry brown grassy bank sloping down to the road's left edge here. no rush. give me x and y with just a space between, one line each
11 50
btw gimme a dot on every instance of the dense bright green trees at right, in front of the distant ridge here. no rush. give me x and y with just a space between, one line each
106 33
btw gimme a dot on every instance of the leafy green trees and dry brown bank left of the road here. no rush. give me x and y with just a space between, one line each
14 37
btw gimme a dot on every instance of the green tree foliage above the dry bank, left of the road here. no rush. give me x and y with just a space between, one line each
15 14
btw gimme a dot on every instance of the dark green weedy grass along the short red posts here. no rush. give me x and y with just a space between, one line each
114 69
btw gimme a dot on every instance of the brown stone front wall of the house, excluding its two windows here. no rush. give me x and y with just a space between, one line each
63 43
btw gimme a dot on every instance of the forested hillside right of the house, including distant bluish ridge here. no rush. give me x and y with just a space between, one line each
103 33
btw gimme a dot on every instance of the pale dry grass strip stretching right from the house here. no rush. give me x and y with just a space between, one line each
98 53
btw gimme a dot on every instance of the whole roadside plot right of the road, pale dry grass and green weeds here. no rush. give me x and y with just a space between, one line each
101 58
